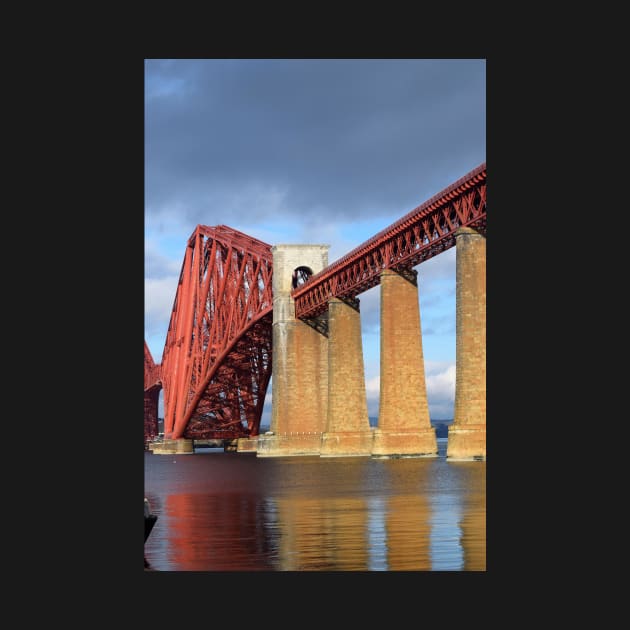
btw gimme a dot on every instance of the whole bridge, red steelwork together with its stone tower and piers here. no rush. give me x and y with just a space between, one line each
234 323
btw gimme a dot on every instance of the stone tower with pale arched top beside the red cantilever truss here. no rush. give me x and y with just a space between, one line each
299 381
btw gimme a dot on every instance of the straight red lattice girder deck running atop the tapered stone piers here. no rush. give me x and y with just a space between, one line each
421 234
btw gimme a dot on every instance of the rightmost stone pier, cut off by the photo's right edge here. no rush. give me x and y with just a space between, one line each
467 434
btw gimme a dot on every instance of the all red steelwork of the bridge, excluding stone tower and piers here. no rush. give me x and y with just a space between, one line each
217 359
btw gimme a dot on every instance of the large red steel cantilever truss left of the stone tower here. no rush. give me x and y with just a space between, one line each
216 364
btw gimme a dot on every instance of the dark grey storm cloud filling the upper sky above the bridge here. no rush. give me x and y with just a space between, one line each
328 138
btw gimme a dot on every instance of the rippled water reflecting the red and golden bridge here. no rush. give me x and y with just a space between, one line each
237 512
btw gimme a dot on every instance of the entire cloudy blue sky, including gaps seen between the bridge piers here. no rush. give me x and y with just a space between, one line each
310 151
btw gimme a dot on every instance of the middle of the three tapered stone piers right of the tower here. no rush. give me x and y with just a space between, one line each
404 425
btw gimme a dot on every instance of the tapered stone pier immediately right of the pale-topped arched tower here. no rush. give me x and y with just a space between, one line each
348 430
